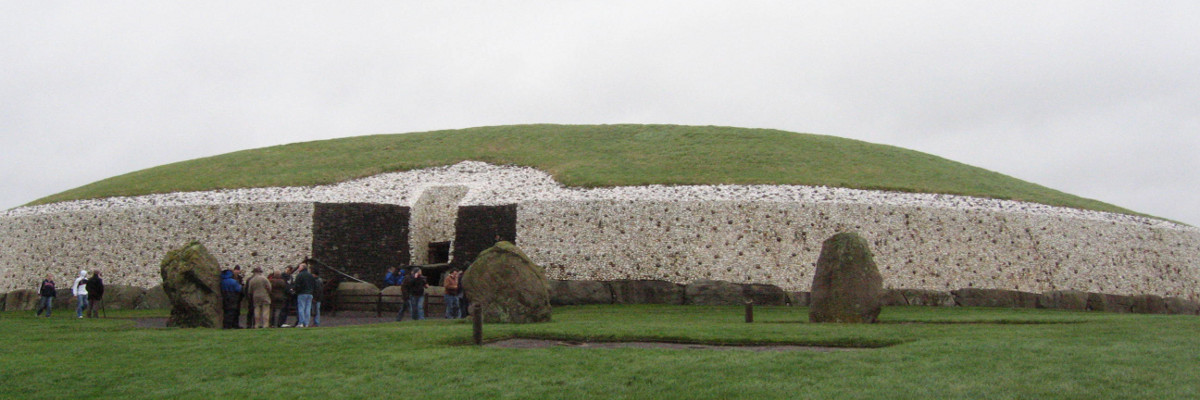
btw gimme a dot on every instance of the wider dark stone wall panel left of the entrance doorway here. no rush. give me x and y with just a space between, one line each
359 238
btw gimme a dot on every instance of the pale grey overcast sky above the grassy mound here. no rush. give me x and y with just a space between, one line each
1099 99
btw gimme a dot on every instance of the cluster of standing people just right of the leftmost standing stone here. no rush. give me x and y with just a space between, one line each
271 298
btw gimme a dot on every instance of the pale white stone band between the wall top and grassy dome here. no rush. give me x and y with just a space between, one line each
508 184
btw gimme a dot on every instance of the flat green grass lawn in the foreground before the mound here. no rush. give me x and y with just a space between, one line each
929 354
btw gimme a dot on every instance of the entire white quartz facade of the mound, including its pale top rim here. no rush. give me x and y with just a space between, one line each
746 235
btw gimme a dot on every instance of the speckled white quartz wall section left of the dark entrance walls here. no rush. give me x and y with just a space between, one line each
128 244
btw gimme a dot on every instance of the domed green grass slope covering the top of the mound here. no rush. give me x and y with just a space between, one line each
593 156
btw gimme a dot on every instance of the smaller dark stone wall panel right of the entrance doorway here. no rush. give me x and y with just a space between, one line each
477 230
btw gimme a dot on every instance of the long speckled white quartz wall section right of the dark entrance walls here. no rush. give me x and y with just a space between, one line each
915 247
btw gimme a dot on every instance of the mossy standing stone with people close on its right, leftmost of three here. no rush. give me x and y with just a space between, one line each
190 278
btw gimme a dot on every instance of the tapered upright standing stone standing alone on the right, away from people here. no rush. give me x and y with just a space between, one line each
848 286
